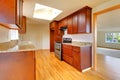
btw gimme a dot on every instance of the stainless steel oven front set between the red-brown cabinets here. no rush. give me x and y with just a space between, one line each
58 50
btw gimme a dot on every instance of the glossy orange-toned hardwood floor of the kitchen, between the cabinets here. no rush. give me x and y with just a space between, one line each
48 67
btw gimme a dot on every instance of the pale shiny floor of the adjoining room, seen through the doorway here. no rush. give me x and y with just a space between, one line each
108 67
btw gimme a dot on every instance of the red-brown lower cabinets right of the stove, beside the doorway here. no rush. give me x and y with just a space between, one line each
81 56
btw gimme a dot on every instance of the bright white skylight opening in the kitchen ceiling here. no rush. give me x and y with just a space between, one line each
45 12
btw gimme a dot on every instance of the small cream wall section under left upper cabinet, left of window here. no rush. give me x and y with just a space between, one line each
4 34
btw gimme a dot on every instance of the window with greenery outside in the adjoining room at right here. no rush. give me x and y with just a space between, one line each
112 37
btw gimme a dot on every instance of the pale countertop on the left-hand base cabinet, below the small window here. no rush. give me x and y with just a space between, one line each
19 47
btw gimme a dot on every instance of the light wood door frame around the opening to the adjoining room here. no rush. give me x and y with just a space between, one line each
95 32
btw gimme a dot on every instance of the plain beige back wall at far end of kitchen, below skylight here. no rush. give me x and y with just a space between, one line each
38 34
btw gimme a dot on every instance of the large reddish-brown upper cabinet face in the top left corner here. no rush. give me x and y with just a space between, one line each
7 11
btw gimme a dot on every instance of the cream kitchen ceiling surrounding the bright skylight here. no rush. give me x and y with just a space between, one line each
67 6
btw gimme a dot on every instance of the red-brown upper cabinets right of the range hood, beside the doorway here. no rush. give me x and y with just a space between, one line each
80 21
